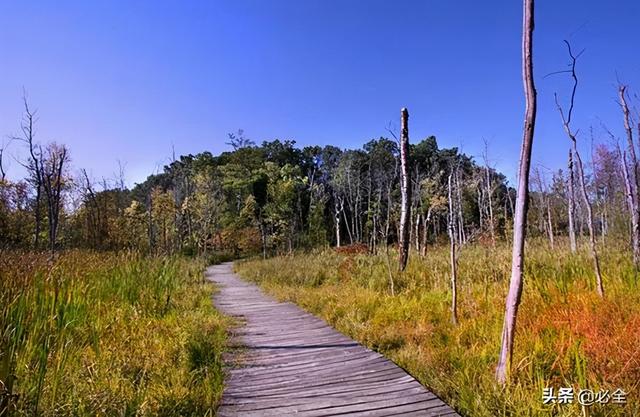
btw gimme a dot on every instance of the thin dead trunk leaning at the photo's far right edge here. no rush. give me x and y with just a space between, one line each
632 177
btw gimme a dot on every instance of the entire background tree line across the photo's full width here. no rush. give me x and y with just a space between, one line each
276 197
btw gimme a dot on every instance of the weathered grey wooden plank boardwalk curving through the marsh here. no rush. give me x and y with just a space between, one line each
293 363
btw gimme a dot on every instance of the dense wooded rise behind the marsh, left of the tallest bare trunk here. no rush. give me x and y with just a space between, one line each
268 198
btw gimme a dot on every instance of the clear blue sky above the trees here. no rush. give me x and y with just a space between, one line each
127 80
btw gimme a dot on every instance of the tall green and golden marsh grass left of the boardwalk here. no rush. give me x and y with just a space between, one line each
108 334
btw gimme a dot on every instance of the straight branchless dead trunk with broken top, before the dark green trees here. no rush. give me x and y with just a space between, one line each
405 190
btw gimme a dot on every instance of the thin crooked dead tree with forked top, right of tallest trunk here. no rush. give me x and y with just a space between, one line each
566 123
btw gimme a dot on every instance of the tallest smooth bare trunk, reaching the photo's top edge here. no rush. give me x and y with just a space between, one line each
522 201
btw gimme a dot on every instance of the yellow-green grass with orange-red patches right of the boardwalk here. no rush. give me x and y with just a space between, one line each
566 335
